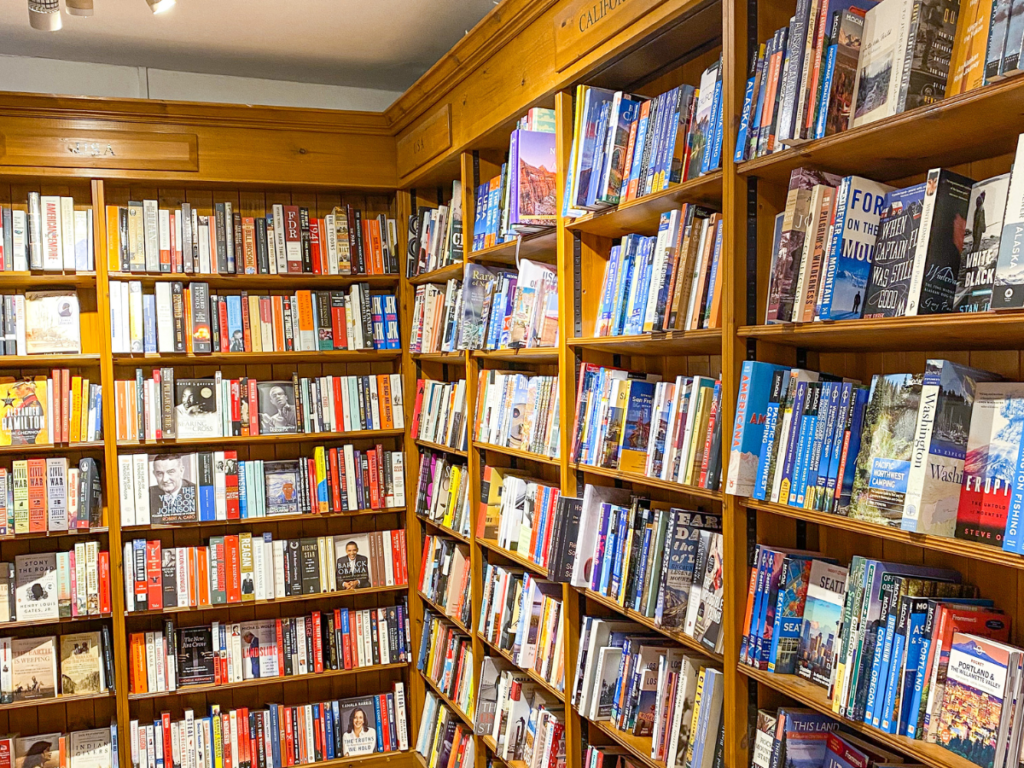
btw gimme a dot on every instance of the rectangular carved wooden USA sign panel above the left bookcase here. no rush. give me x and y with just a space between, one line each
73 148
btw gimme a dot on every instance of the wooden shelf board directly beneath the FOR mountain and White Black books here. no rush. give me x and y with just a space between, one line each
1004 330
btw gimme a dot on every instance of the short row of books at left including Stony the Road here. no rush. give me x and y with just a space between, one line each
57 585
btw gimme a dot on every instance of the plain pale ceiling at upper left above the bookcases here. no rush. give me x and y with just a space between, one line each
385 45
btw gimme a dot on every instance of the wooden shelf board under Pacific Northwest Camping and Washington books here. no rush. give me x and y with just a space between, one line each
950 545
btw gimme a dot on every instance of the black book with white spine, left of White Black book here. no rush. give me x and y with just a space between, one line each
936 262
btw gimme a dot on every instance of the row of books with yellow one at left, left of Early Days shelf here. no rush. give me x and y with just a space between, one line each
519 514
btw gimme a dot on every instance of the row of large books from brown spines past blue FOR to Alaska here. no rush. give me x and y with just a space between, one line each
897 252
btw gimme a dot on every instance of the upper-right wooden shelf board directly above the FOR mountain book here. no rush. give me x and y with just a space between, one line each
983 123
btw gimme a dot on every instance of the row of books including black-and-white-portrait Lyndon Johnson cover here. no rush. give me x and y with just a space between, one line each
179 489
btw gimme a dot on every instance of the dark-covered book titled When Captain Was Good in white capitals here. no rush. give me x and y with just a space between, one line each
894 253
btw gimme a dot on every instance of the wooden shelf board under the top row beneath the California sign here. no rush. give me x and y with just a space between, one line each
643 216
